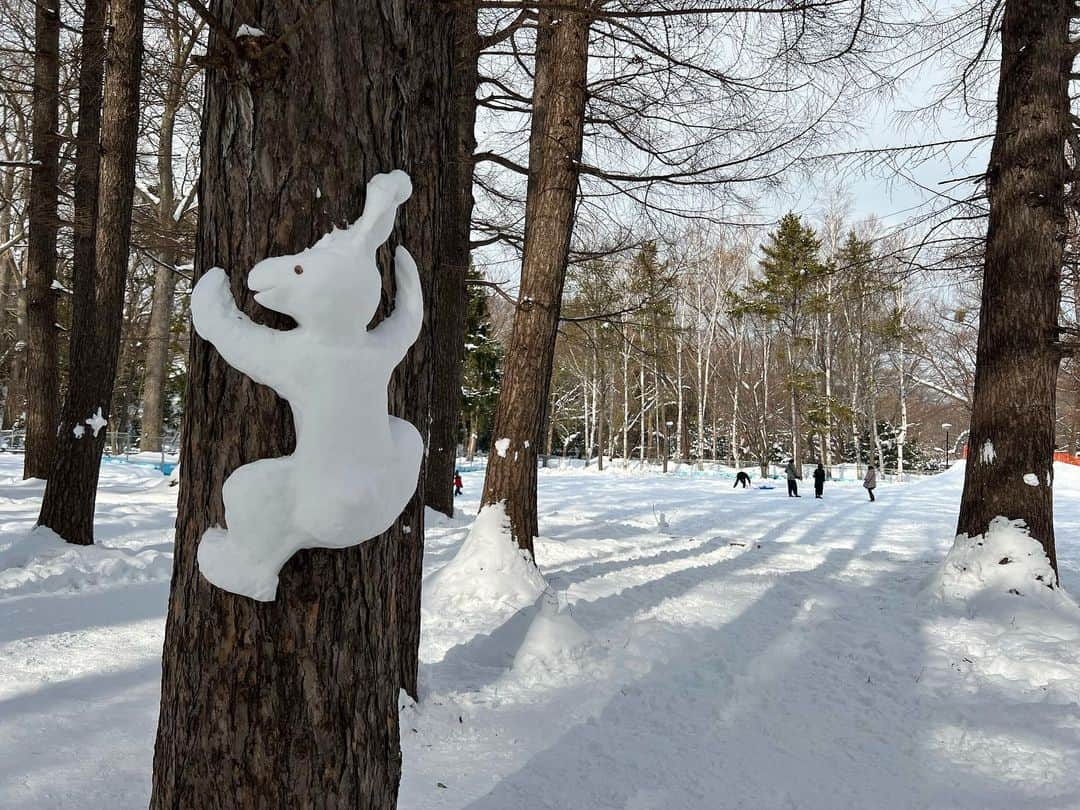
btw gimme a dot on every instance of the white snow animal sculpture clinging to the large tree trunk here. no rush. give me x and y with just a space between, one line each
355 467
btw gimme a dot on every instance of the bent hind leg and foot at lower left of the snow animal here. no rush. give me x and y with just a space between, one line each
247 558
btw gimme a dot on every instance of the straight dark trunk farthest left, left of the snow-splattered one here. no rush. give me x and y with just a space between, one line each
43 385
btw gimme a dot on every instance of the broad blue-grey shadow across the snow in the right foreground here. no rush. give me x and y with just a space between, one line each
798 703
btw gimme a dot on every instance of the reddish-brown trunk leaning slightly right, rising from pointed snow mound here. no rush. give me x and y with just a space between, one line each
559 107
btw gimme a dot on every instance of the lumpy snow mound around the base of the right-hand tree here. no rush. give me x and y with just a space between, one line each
989 572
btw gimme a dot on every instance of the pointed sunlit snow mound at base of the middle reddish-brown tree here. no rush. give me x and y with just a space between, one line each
489 580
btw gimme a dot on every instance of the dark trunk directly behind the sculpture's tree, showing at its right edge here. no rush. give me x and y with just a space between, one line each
451 295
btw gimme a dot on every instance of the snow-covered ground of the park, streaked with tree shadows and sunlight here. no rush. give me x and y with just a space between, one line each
760 653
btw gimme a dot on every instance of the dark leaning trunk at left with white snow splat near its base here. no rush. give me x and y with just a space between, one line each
98 318
